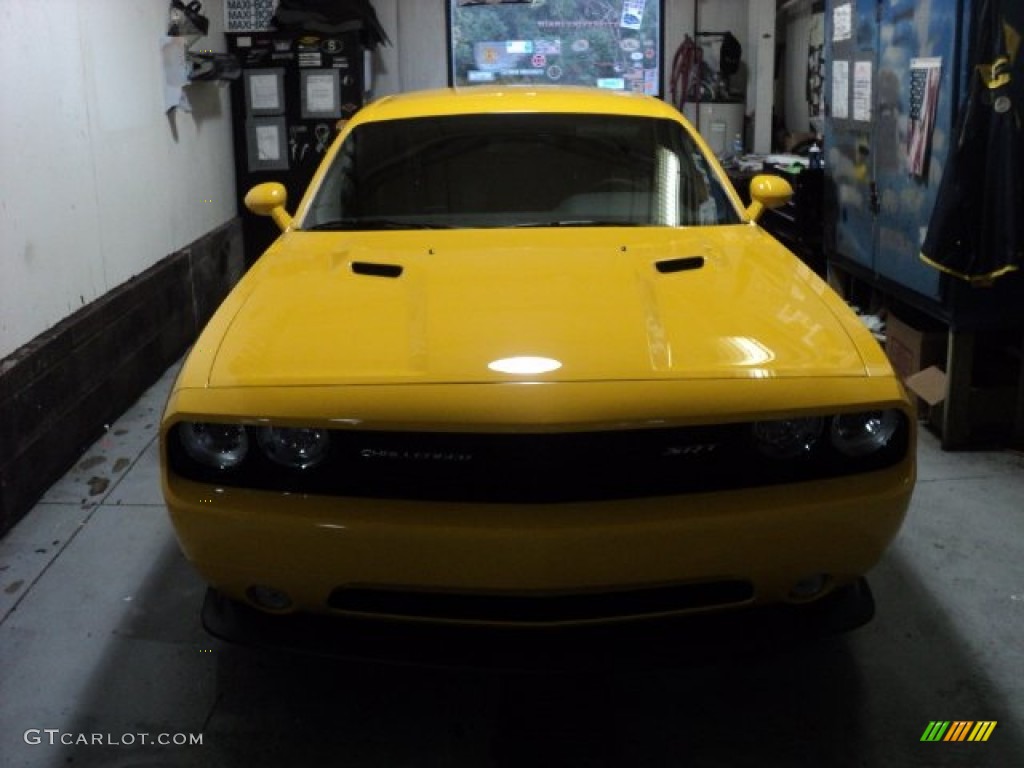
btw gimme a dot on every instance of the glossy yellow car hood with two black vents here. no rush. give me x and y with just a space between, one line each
596 305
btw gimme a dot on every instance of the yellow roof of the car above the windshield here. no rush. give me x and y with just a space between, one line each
509 99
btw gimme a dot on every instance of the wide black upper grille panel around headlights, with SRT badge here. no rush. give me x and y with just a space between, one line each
540 468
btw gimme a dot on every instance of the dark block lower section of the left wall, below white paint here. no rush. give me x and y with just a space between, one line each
60 391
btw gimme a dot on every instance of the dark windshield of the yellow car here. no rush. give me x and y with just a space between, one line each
518 170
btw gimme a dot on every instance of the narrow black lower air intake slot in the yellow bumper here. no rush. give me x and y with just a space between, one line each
543 609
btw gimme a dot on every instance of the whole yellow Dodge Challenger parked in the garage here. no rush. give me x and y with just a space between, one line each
523 358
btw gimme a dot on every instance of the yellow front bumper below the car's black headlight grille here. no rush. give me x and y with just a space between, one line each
363 558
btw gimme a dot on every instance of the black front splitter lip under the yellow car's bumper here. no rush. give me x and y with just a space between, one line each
647 644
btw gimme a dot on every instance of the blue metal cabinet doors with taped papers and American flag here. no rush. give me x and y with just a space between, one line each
882 205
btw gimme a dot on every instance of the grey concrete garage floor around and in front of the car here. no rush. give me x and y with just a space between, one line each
101 641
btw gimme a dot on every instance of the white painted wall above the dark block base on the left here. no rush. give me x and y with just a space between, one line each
97 183
